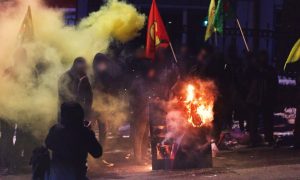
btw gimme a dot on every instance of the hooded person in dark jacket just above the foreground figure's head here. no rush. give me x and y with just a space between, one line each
74 85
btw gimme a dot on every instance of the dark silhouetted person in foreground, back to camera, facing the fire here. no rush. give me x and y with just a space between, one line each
70 143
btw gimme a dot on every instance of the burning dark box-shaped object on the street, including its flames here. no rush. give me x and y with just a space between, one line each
180 133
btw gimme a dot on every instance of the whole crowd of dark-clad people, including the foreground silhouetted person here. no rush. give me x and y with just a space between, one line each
247 92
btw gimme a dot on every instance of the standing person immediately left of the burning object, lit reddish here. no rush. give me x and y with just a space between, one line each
142 92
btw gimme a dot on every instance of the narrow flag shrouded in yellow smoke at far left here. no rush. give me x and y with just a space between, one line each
26 31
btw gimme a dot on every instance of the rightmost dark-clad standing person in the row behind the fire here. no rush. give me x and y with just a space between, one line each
262 98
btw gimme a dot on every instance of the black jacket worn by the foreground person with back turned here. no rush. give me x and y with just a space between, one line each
70 146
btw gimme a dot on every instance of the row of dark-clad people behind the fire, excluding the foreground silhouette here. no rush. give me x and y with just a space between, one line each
247 88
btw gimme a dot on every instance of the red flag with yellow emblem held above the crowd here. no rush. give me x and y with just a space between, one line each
157 35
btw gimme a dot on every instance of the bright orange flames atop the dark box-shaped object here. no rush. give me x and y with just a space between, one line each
199 103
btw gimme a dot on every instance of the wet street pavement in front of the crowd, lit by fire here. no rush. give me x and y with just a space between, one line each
241 163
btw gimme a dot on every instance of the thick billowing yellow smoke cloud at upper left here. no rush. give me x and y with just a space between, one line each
29 72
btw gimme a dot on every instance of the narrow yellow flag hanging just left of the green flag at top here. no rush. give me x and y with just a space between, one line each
211 16
